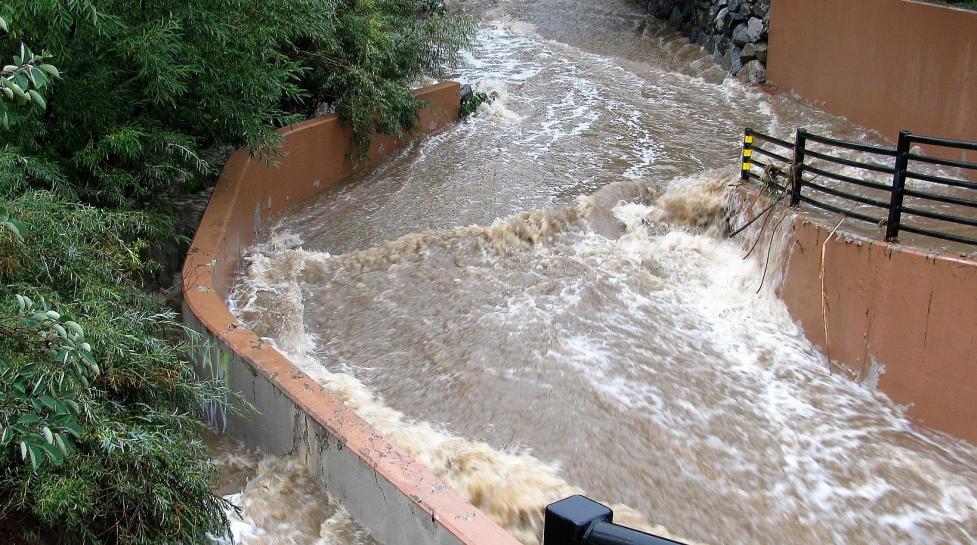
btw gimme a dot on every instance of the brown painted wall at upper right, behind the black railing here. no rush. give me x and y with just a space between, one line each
889 65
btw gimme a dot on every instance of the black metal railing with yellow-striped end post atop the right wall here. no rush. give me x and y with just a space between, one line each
794 161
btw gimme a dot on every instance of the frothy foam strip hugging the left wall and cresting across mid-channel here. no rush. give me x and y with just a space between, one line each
511 486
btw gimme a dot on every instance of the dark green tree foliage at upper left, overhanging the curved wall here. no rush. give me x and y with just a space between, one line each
146 87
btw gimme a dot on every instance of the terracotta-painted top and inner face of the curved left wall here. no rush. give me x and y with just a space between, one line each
249 191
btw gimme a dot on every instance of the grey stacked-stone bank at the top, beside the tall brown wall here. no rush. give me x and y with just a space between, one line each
734 31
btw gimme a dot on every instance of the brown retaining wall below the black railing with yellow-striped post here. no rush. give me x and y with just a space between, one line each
898 318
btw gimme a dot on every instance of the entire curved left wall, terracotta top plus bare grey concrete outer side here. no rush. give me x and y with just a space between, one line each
390 494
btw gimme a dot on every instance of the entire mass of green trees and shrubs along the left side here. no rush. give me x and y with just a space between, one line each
108 109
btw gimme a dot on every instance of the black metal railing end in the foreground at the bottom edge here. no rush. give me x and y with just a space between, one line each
578 520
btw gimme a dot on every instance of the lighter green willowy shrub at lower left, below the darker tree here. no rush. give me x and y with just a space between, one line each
105 405
